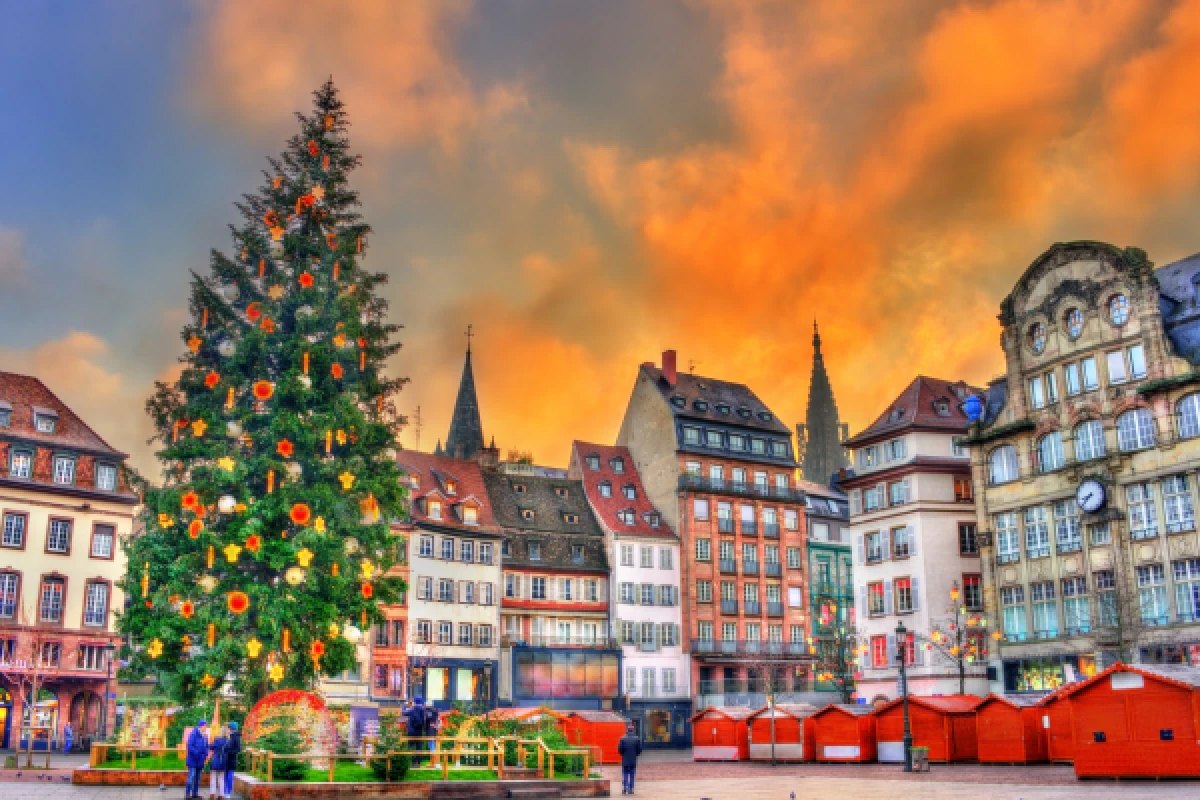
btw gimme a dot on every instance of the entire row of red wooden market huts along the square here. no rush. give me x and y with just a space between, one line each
1127 721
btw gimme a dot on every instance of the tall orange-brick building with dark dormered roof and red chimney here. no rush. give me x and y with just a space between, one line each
721 467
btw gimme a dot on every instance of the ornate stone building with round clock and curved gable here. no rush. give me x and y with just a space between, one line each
1088 450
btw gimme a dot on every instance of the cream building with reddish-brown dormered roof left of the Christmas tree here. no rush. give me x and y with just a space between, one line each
65 507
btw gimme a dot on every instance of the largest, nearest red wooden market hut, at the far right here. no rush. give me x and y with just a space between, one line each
1137 723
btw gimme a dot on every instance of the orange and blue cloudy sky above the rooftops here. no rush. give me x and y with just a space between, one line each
592 183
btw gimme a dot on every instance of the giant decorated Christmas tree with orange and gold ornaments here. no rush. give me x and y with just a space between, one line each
265 552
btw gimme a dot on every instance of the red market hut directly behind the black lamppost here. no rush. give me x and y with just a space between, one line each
945 725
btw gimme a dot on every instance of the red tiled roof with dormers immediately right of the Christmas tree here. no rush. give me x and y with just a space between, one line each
433 476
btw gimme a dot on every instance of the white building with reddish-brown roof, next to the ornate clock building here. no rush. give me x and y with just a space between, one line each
916 556
